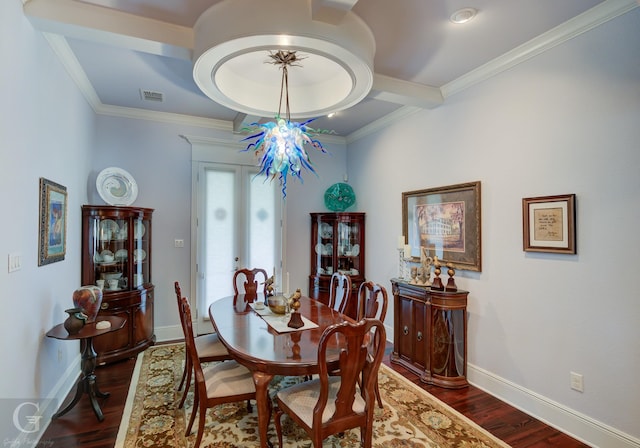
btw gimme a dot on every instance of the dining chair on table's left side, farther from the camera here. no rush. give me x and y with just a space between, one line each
208 347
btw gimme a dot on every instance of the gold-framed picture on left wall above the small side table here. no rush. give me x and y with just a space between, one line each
53 222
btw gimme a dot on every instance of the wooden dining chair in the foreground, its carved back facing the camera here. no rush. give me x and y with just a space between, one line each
331 404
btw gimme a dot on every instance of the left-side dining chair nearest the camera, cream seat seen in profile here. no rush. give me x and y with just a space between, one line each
217 383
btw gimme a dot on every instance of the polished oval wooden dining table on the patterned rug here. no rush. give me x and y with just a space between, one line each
265 352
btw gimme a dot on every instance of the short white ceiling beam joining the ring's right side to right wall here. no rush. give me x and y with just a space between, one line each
406 93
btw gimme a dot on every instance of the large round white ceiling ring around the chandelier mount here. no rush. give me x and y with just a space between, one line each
232 36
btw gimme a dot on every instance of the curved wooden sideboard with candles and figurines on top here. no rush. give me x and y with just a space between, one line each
430 333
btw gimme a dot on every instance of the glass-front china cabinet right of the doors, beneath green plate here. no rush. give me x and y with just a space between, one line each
337 244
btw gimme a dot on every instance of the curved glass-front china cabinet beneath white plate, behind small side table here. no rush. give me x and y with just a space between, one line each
116 256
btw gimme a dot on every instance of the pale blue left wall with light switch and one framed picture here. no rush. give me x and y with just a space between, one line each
46 129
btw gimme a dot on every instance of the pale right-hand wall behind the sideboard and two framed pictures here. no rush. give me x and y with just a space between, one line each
566 121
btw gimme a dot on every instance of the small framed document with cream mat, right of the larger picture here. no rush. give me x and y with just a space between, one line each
549 224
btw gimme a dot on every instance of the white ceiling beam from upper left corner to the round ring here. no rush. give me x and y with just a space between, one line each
71 18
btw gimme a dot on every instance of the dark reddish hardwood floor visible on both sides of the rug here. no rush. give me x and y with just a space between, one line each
80 428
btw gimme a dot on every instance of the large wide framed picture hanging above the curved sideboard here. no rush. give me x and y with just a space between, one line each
446 222
